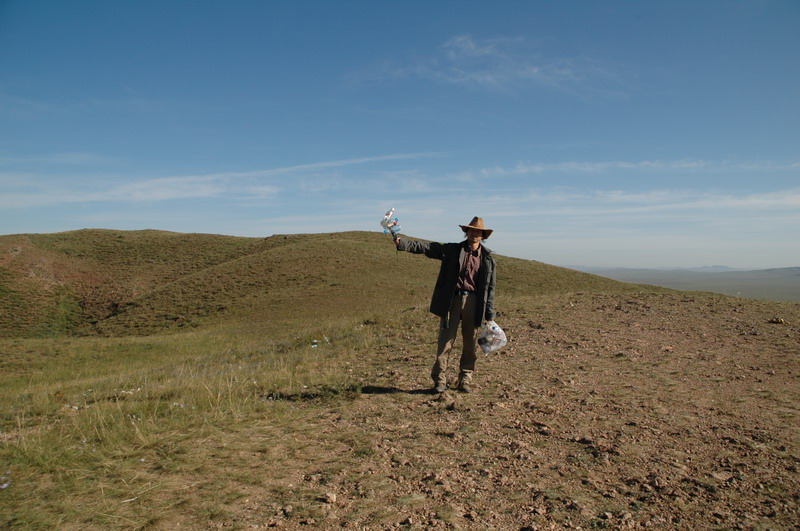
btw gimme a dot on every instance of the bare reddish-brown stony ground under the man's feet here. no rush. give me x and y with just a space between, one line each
668 411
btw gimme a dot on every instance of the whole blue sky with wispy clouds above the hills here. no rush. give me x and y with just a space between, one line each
615 133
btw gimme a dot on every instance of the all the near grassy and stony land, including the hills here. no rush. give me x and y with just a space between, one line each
251 384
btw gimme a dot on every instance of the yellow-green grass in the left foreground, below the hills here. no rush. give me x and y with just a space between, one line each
103 432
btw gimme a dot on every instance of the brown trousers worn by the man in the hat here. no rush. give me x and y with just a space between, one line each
462 310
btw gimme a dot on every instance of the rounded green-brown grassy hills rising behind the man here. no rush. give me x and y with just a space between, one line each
108 282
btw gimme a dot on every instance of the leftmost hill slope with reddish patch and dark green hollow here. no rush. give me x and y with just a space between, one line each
66 282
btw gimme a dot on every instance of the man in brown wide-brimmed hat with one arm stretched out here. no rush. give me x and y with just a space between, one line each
464 293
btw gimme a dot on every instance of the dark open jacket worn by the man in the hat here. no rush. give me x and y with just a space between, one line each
452 256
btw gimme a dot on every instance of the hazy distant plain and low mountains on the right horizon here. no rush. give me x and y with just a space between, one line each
782 284
